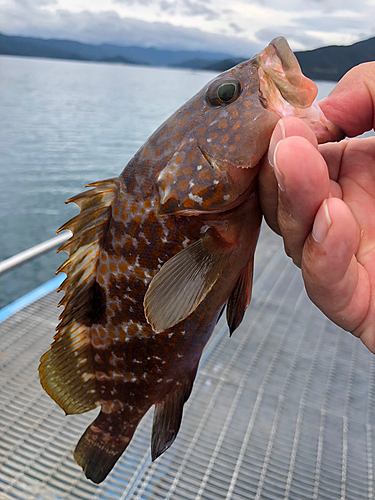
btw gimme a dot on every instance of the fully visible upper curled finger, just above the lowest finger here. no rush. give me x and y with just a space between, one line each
303 185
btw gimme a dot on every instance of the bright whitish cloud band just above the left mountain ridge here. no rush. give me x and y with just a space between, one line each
110 27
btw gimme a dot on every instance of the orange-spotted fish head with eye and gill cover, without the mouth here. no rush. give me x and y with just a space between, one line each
224 131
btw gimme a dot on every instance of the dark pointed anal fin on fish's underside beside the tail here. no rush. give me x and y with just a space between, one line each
168 416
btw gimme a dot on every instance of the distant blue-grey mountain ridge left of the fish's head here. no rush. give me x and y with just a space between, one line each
68 49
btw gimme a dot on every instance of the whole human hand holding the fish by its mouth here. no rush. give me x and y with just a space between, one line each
321 199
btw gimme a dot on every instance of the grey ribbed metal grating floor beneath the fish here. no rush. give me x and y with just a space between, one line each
282 410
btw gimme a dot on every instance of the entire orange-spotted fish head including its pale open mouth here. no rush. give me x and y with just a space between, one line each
225 130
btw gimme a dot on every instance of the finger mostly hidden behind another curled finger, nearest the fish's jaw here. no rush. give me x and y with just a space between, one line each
267 183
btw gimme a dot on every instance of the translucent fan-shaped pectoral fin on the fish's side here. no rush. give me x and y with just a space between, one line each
184 281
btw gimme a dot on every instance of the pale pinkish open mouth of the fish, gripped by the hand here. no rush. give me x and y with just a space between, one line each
284 90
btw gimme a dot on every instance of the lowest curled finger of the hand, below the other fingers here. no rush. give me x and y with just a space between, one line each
334 280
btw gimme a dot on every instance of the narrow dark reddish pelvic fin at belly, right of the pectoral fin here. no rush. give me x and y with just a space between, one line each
240 297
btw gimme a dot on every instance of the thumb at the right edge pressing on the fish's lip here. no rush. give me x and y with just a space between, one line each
351 104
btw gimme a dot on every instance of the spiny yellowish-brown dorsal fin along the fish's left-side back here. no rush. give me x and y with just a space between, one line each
66 370
